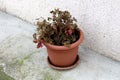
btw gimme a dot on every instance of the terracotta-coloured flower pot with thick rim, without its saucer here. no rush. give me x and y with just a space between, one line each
63 56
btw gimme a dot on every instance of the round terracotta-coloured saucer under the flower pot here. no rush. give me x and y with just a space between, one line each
64 68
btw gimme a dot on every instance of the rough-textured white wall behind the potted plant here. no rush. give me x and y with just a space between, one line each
99 19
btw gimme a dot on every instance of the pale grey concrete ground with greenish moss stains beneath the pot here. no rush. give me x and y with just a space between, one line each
20 59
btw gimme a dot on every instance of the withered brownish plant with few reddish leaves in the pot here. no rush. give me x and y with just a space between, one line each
60 29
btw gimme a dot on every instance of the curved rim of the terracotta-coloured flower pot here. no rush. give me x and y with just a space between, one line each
55 47
